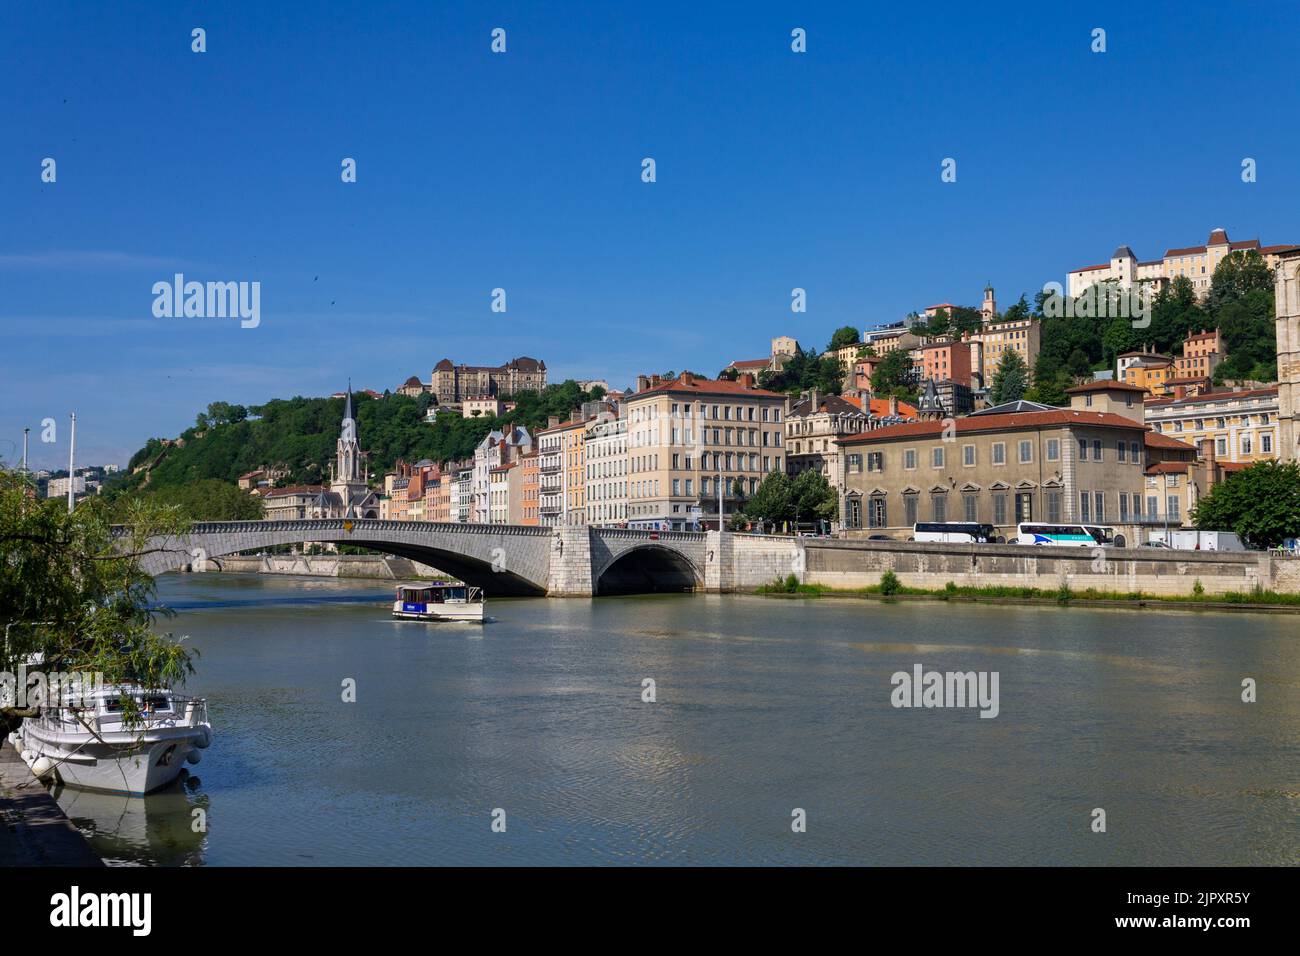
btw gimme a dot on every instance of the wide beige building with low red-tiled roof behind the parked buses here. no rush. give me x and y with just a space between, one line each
1084 464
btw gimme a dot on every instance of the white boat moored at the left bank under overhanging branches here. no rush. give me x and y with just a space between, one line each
94 747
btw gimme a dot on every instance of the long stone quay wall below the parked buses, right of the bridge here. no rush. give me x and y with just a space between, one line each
1147 570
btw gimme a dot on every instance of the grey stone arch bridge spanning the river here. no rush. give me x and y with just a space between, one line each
501 559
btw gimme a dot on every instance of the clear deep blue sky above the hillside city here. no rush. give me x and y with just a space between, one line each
522 171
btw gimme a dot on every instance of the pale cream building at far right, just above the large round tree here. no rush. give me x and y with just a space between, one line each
1242 426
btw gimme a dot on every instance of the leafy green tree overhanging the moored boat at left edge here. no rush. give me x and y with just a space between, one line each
73 591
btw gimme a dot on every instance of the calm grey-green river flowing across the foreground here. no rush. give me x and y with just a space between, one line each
762 708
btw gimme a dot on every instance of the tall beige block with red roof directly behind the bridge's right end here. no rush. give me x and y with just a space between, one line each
688 434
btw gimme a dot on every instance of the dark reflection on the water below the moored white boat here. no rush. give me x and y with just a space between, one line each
138 832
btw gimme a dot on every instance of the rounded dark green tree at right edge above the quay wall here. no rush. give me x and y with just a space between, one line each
1262 504
